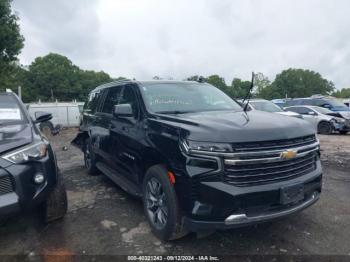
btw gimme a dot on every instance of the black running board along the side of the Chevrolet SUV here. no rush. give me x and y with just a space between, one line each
126 185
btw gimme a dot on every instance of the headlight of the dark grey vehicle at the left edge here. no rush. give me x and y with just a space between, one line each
31 152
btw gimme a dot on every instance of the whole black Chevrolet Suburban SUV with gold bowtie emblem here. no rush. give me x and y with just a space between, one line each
197 159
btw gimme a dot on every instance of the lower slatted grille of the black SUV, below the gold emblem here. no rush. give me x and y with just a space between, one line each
262 173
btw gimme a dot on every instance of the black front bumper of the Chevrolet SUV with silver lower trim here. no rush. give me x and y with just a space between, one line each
222 206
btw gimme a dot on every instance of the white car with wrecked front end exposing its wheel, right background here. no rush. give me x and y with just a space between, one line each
324 120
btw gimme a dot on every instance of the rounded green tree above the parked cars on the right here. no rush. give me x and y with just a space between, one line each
297 83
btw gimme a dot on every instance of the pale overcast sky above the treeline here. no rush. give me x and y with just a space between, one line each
180 38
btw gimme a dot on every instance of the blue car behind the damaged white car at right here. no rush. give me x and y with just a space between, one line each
330 103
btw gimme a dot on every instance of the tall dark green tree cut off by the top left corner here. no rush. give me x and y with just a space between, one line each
11 43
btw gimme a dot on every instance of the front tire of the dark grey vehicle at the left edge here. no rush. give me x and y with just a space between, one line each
55 206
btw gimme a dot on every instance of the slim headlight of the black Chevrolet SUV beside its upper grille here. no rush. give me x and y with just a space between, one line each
193 146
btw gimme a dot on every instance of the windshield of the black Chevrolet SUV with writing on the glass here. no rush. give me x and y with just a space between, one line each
185 97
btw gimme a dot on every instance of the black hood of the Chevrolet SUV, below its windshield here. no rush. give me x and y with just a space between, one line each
233 127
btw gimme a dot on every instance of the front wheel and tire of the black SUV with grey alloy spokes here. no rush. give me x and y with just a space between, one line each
161 205
